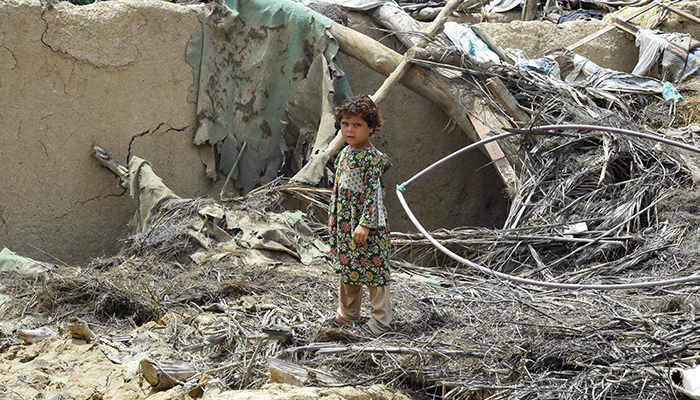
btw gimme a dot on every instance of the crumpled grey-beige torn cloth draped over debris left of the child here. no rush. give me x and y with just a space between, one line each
218 232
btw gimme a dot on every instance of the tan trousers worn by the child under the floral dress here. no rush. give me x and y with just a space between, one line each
351 303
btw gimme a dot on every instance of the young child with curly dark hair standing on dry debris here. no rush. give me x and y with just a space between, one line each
358 219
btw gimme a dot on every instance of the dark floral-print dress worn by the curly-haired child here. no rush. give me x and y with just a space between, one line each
358 199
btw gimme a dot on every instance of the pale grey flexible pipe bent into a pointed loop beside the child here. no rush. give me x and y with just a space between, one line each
512 278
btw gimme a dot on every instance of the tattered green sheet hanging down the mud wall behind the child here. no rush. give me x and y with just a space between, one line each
248 62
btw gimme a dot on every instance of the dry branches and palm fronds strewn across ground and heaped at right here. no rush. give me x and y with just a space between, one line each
588 207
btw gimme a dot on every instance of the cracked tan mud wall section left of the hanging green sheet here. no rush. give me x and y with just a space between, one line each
111 74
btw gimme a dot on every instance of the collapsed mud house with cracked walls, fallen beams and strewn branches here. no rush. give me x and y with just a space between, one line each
226 298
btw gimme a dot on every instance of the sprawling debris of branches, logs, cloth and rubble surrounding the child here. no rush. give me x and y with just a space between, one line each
214 299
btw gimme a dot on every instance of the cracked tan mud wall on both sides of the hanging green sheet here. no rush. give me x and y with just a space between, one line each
114 74
